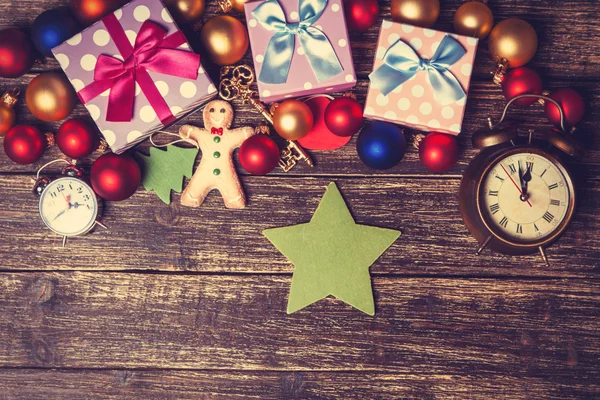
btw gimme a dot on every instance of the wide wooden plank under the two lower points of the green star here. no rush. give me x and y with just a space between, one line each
539 328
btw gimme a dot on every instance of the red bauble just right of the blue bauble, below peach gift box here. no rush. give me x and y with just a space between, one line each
438 152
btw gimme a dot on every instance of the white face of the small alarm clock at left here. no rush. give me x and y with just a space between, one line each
68 206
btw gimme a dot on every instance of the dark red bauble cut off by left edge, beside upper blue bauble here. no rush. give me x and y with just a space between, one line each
16 53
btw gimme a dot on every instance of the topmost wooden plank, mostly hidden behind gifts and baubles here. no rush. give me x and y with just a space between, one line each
563 28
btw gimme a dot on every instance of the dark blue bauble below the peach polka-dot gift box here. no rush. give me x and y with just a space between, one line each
381 145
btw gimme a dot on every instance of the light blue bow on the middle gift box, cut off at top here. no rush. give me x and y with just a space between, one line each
278 56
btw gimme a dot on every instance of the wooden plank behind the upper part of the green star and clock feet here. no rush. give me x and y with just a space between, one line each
147 234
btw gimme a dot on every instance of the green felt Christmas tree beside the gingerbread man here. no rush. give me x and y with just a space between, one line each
164 170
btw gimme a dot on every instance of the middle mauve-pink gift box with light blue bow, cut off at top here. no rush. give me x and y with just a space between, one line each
299 47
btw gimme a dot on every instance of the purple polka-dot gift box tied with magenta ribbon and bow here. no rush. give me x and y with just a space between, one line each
135 72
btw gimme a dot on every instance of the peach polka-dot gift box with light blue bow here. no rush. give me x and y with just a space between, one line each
420 78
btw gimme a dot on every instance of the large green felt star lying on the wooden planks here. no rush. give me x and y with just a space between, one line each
332 255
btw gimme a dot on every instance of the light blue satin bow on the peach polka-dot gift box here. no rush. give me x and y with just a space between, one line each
401 62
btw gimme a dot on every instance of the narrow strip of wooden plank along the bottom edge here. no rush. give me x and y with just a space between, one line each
35 384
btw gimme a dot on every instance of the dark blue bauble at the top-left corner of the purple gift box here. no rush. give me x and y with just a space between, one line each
51 28
